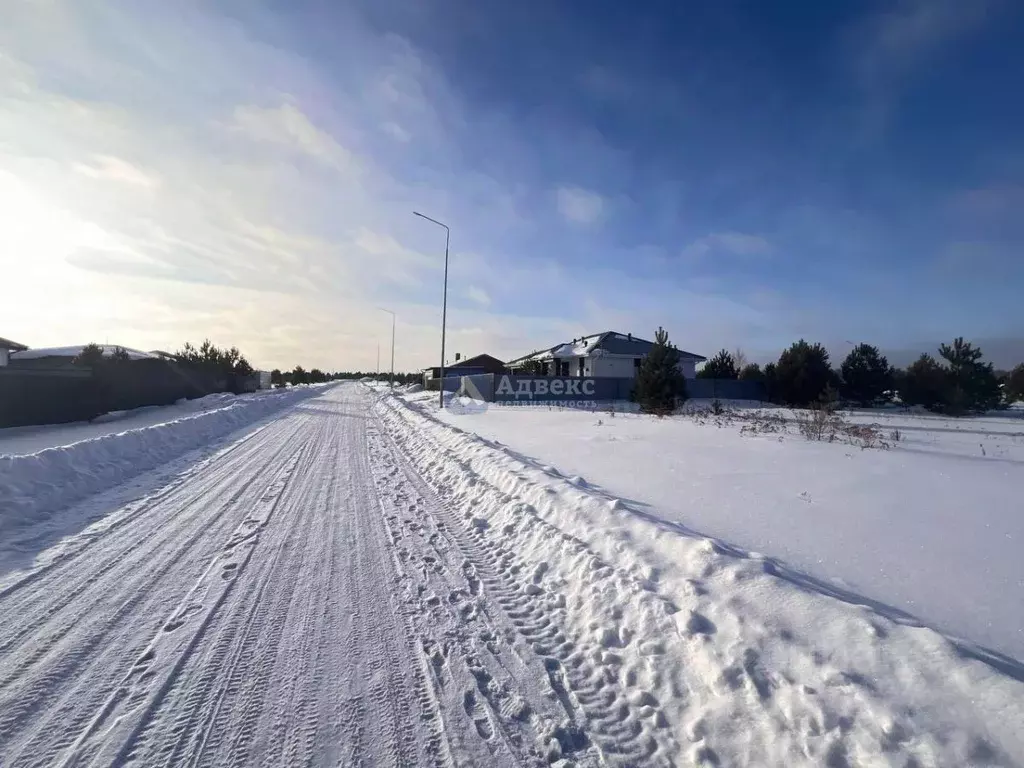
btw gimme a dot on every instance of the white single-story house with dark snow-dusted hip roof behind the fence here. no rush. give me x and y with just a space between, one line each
609 355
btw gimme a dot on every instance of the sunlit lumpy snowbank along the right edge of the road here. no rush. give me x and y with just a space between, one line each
732 663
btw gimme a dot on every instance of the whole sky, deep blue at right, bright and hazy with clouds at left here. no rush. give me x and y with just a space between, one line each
743 174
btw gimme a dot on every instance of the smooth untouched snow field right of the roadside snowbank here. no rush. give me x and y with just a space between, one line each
931 527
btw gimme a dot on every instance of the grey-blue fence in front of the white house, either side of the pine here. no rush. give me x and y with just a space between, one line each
508 389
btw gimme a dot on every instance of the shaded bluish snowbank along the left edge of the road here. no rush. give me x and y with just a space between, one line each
34 486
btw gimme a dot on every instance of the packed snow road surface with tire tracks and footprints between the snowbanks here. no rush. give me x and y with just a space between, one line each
282 605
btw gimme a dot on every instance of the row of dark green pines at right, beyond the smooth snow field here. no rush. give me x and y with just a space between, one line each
959 382
